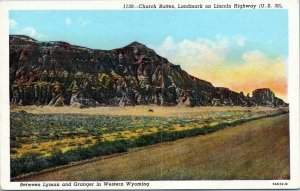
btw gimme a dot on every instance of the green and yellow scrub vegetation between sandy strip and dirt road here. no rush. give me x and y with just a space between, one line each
33 130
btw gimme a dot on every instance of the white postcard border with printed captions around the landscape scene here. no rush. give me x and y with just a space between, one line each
293 94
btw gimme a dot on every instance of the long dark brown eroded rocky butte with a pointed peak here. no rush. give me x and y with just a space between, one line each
58 74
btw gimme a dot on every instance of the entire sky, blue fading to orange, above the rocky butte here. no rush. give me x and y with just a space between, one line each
242 50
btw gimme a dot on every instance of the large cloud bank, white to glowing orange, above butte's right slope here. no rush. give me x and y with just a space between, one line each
228 62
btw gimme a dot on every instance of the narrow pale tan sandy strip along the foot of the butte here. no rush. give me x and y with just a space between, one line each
158 111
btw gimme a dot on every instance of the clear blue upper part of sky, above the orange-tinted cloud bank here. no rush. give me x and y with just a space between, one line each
112 29
